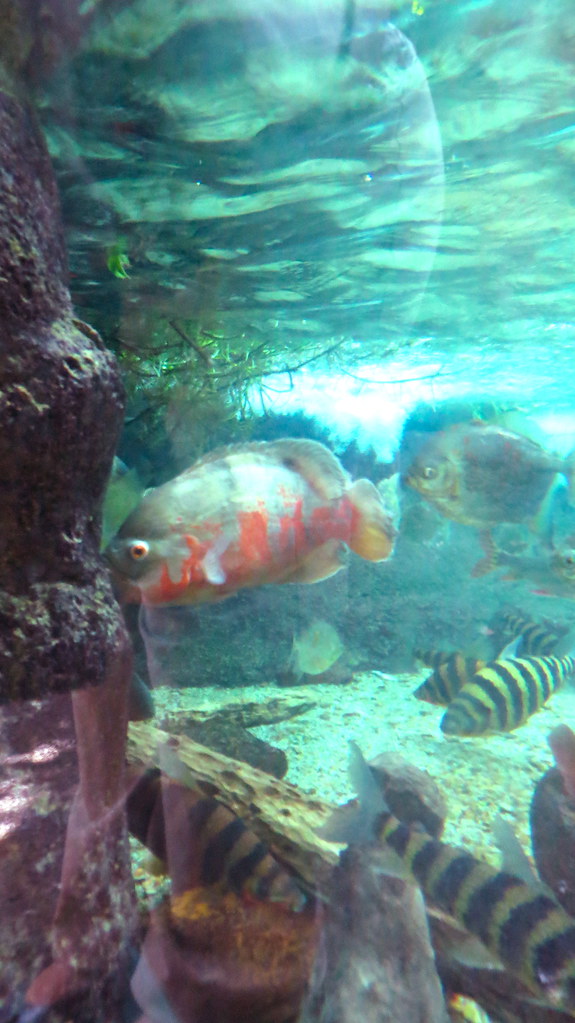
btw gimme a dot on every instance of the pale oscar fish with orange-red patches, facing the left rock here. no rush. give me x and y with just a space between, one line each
244 516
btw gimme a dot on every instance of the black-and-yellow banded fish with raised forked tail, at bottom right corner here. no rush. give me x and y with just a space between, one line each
517 921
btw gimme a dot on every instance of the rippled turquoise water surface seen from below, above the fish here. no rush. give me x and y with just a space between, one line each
299 188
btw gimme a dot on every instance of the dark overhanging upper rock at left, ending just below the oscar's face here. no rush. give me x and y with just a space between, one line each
61 411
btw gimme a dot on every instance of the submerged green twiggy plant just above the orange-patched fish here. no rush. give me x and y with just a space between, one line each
200 388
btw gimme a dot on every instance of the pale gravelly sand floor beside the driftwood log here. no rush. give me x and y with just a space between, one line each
479 778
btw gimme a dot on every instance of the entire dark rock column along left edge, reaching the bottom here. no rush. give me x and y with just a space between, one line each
65 855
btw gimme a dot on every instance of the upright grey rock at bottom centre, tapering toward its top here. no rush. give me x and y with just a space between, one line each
378 964
